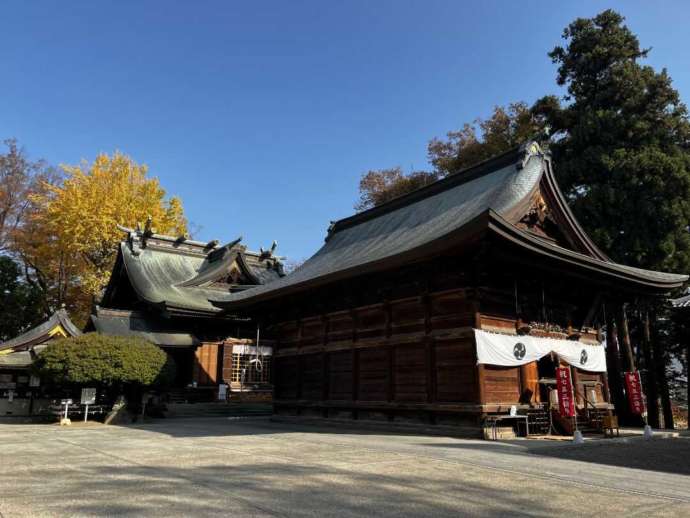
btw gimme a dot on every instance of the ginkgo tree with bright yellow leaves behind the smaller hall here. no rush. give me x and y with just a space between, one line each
70 237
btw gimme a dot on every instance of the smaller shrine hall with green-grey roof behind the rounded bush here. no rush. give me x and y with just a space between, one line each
159 290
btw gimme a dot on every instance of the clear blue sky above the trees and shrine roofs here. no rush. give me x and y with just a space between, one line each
262 116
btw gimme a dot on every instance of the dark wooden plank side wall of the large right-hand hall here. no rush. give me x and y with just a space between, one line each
411 358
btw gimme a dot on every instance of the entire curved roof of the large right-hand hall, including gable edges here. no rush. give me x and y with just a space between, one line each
441 216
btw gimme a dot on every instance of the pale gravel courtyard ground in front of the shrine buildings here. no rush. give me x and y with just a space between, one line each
254 467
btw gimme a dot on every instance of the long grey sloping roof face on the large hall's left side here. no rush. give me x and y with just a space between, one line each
415 220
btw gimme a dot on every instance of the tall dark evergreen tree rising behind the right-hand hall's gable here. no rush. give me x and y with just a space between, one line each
620 145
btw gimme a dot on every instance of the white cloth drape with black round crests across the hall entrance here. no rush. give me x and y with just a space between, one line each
514 350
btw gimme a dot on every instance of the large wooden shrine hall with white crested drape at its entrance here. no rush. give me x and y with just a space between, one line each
448 305
